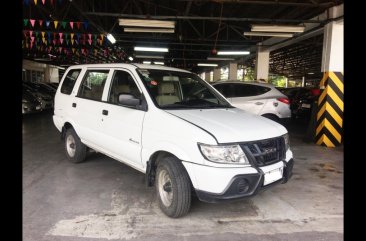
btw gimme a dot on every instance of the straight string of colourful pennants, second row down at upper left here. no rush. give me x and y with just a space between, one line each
55 24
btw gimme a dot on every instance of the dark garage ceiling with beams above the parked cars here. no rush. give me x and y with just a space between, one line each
66 32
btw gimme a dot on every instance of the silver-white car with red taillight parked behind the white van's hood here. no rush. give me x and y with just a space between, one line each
258 98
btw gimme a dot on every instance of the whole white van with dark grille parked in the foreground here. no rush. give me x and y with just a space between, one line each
174 127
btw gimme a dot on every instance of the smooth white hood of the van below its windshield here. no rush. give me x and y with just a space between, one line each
231 125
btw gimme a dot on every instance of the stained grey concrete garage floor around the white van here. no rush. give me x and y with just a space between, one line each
103 199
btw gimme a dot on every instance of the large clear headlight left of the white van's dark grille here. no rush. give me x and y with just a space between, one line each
231 154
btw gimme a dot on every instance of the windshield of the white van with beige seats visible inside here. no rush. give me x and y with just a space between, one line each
180 90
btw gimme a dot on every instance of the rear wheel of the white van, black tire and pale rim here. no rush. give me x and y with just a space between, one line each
73 141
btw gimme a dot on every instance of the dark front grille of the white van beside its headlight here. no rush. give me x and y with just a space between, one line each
265 152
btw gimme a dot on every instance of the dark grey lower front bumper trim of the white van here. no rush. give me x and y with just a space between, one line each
245 185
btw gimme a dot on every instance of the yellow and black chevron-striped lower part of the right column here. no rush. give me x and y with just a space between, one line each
329 127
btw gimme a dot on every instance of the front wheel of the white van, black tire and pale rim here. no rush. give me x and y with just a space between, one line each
179 188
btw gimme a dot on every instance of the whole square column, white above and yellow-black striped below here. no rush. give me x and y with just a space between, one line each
329 115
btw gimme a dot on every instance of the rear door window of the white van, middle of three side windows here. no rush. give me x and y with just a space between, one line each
93 84
